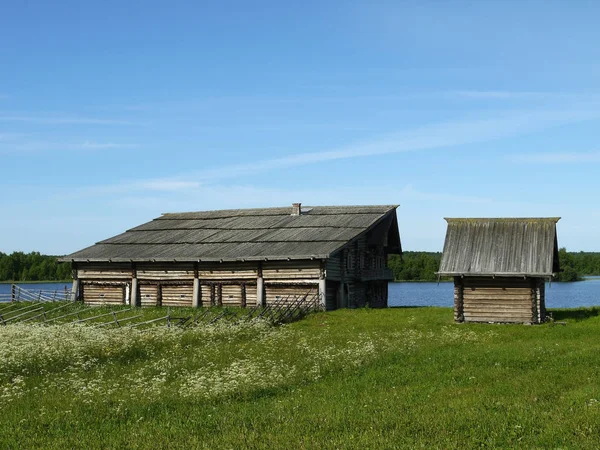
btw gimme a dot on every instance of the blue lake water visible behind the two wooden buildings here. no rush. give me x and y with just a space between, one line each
558 295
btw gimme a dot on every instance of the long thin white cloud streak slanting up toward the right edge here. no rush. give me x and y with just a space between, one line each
449 135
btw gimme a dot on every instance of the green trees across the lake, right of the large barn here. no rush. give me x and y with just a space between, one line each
422 266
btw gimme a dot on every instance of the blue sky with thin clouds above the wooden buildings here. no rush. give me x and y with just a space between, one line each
112 113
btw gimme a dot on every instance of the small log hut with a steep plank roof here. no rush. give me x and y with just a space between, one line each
499 267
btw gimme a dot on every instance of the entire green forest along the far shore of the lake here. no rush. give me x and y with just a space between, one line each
412 266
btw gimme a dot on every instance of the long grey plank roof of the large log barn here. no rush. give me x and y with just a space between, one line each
243 234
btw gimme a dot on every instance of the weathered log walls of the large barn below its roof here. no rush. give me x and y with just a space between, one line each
235 283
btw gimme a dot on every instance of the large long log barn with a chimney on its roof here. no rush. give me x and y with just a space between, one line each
244 257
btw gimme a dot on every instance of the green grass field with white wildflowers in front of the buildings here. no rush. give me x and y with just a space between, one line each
396 378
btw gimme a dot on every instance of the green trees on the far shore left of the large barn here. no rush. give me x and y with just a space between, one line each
34 266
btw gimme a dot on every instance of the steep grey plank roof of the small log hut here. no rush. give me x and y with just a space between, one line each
500 247
